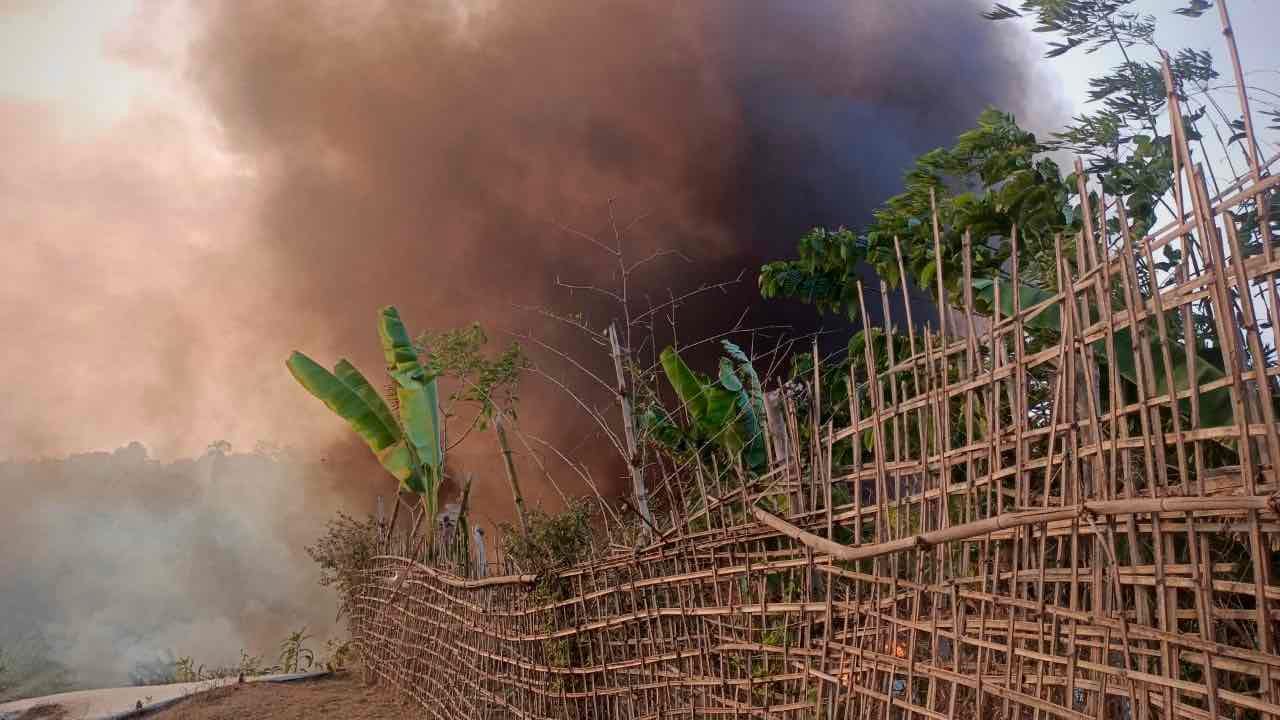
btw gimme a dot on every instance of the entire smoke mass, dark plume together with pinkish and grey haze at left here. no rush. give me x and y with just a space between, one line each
422 154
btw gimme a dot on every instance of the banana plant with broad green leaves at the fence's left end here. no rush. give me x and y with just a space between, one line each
408 443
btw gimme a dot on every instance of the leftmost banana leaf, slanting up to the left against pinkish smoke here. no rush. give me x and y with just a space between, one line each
353 405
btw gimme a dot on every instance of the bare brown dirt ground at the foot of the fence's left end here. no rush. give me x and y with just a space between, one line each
337 696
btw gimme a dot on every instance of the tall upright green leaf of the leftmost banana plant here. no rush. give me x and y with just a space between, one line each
418 395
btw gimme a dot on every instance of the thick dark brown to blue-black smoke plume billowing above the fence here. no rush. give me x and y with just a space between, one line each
423 153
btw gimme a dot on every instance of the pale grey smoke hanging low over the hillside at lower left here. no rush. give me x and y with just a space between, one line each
120 562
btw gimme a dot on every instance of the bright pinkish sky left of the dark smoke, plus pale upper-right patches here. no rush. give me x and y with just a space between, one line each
117 168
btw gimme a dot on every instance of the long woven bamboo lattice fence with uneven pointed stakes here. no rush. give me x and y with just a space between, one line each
1027 540
